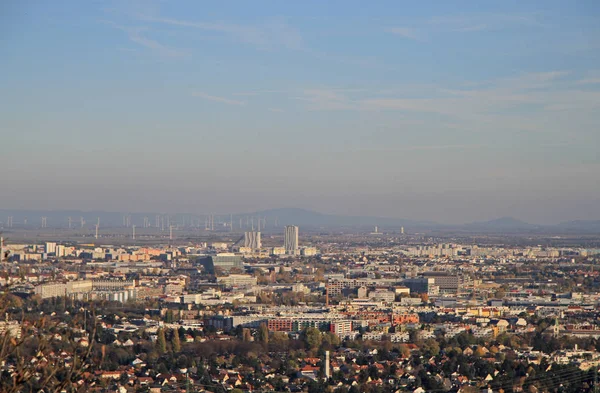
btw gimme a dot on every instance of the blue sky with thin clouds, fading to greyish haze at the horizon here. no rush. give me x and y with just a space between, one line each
448 111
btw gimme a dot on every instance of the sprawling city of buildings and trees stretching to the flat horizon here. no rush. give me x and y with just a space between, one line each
264 307
